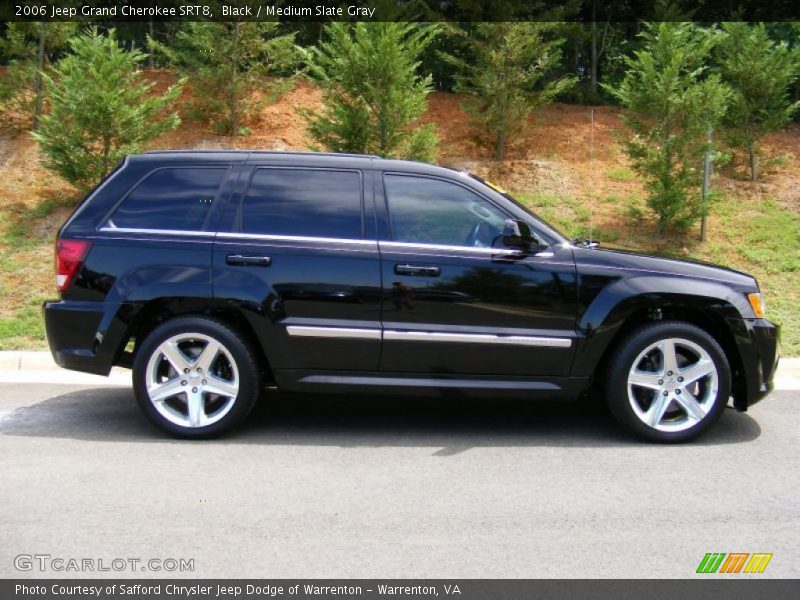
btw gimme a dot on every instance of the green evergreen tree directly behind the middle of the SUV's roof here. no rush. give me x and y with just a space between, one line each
372 91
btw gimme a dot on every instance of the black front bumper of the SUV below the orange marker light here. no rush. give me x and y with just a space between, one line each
758 343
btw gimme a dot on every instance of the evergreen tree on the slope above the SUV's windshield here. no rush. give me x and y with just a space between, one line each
508 78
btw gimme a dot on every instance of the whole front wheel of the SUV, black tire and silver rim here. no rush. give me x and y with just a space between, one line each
669 382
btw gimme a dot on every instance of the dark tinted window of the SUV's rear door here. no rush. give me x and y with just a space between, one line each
303 202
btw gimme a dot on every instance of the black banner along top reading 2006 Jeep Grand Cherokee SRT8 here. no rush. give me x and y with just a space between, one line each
401 10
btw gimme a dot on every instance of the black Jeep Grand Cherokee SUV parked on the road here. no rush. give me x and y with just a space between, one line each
212 274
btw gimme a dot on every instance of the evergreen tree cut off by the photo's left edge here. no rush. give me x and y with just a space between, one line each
27 47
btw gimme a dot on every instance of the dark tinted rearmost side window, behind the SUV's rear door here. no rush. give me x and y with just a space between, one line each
170 199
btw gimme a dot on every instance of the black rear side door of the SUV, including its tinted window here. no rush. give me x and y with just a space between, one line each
297 255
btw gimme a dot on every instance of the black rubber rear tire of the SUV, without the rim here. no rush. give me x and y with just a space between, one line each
248 374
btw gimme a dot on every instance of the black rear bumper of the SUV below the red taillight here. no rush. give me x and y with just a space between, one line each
80 335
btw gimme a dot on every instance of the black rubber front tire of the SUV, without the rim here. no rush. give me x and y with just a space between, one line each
616 387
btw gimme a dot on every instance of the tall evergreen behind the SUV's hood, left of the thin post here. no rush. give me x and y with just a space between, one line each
672 101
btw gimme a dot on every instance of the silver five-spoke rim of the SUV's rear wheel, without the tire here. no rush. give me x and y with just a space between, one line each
192 380
